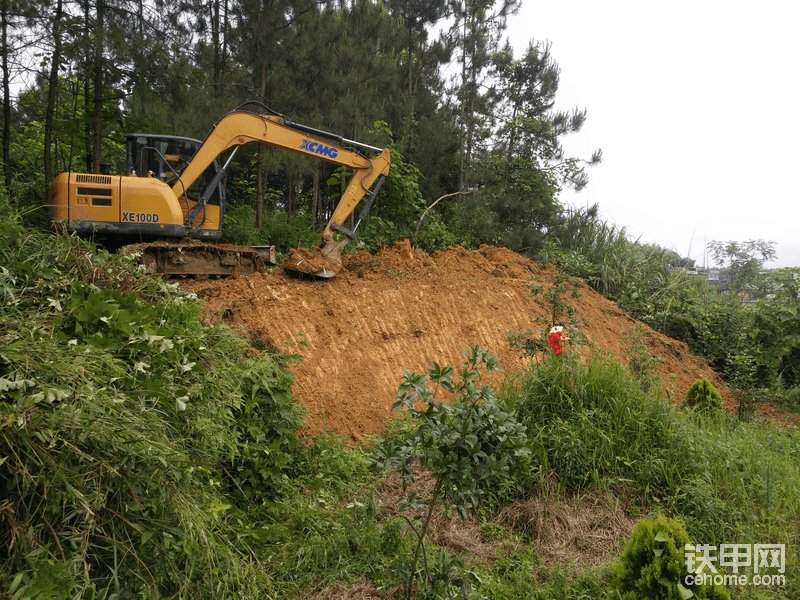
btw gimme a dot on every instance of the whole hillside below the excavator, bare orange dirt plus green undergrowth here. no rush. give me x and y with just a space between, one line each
126 423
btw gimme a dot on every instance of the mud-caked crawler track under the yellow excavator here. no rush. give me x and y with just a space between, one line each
198 259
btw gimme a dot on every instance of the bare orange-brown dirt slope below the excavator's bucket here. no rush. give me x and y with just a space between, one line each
401 309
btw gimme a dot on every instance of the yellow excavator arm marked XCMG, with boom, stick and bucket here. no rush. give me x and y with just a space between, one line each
243 127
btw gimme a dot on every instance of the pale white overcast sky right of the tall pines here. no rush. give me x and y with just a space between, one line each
696 106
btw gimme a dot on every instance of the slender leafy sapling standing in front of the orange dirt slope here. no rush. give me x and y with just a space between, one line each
468 444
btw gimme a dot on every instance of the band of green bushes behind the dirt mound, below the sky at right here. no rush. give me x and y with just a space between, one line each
751 345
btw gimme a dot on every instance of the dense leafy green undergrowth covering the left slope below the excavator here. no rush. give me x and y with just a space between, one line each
128 433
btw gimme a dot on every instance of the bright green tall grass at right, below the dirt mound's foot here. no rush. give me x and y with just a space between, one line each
729 481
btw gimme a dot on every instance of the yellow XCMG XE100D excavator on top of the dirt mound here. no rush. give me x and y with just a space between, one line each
171 204
